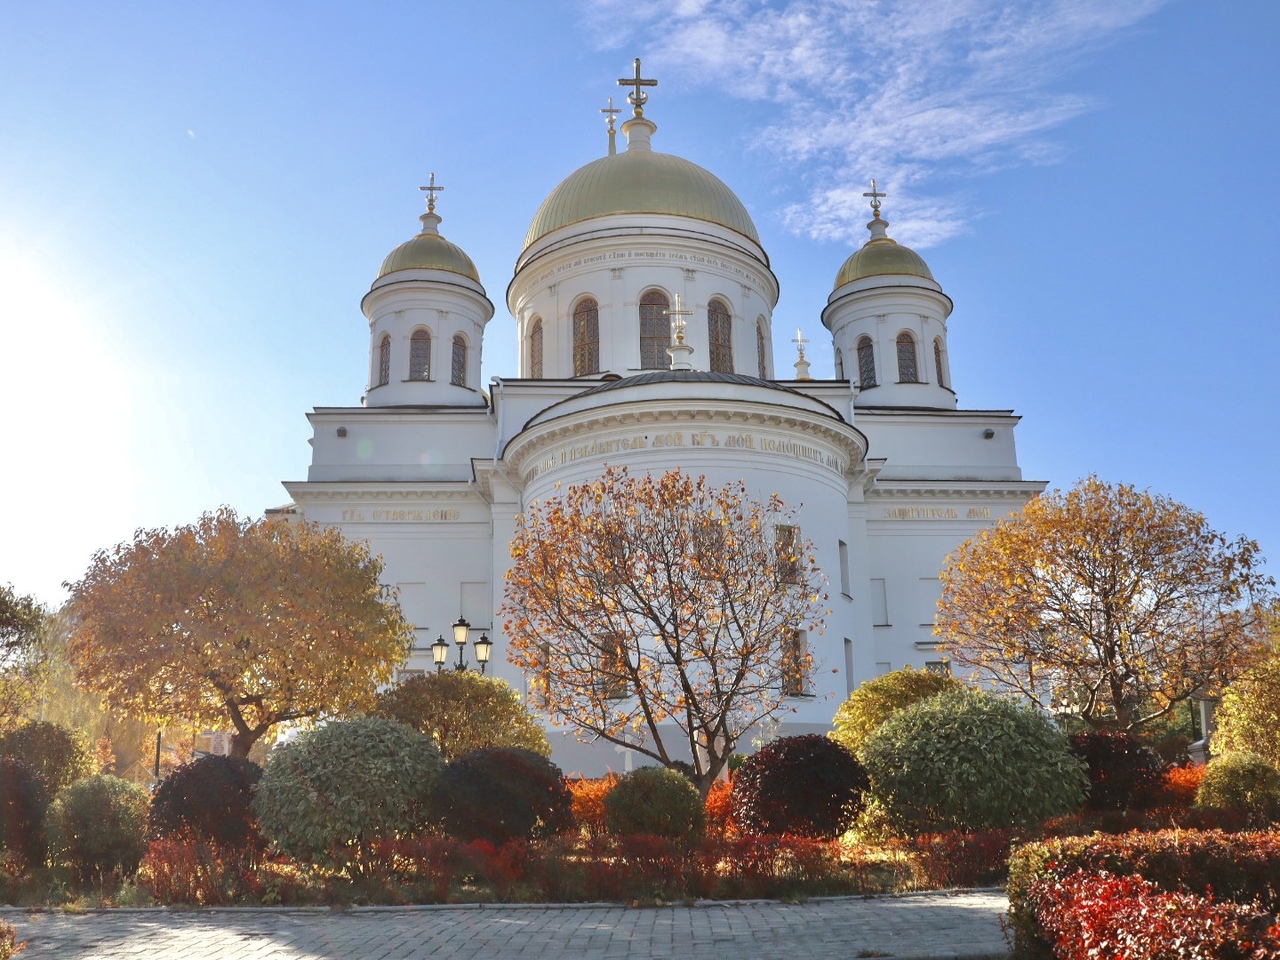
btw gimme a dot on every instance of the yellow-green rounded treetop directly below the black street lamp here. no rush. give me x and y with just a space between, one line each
463 711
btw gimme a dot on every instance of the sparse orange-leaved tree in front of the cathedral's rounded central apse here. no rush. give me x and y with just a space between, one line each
662 614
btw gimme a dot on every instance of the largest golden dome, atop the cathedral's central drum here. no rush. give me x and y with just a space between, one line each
641 182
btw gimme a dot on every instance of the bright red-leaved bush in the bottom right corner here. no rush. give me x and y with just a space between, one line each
1091 916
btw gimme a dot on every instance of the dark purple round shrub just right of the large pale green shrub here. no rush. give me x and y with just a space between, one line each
505 793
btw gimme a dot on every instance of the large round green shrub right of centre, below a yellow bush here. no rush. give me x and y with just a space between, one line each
971 761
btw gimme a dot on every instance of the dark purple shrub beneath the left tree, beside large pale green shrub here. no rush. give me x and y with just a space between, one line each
209 799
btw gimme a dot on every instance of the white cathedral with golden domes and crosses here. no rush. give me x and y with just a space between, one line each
643 304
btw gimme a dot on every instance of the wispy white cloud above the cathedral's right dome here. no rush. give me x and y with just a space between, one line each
921 94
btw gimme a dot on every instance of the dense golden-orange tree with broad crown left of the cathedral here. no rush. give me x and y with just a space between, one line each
235 623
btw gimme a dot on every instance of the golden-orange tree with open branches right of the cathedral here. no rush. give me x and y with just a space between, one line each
1105 602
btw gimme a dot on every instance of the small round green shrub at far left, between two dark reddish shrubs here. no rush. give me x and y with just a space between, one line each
99 826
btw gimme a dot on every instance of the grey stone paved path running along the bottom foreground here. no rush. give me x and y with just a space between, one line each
912 926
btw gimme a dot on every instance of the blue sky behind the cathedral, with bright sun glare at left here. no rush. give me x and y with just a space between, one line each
194 198
